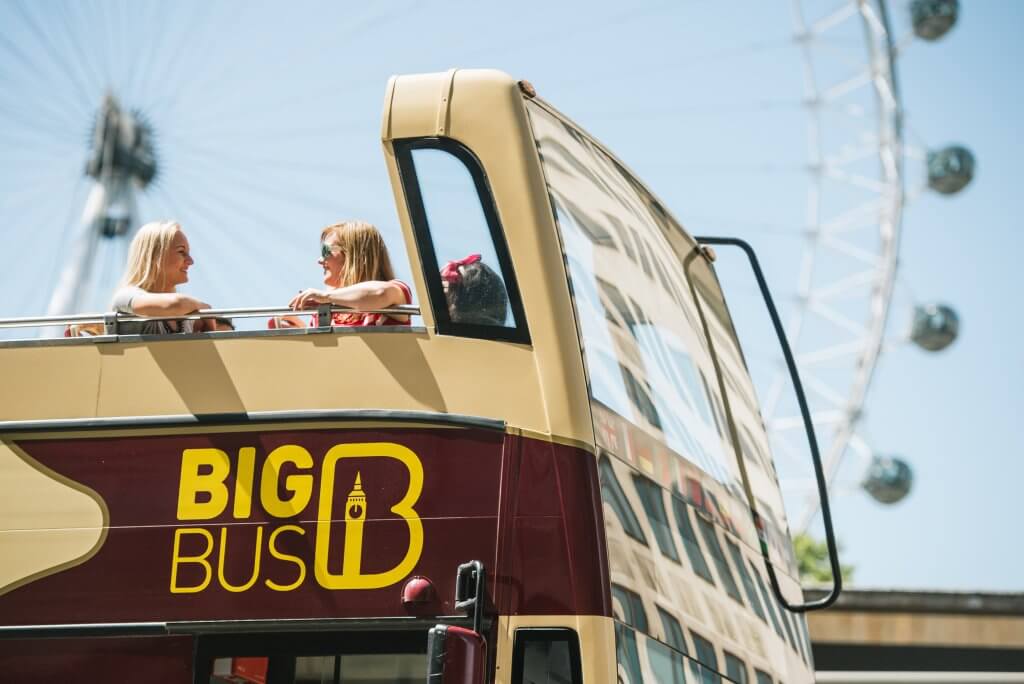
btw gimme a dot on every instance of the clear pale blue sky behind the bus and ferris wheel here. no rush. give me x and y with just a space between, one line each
269 129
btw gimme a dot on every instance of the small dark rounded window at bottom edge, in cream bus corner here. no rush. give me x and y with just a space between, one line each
546 657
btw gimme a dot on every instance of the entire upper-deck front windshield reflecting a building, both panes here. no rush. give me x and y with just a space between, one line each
651 319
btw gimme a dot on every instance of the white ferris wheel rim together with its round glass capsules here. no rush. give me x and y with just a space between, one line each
860 185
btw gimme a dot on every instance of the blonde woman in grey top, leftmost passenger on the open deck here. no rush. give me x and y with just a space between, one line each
159 260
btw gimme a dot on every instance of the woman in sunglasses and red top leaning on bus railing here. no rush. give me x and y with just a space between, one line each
358 275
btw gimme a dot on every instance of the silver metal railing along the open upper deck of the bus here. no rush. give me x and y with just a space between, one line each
111 321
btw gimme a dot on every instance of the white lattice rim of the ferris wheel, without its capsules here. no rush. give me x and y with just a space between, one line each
865 334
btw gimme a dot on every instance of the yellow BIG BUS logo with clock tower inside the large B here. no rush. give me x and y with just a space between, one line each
204 495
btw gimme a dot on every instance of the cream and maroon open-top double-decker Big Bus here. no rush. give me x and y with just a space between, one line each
568 495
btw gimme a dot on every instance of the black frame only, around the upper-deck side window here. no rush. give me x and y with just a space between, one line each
404 148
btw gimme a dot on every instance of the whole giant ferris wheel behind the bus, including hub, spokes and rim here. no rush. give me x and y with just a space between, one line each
122 113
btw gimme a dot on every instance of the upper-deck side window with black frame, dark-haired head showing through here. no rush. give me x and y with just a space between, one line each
463 250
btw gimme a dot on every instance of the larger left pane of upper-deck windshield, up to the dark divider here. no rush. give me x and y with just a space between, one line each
645 316
